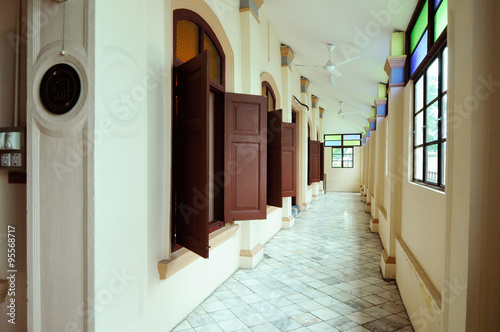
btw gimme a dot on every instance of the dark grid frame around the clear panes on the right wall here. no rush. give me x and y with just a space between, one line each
440 141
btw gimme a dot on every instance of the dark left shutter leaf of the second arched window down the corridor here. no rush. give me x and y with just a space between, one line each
274 162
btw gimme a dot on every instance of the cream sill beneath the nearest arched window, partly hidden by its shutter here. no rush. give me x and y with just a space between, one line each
183 257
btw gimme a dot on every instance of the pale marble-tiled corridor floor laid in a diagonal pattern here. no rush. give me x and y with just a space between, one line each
322 275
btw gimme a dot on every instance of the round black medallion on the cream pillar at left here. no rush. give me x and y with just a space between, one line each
60 89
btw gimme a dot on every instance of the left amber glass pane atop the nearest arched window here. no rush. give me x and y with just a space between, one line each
188 37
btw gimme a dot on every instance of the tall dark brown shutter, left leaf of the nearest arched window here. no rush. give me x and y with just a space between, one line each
191 172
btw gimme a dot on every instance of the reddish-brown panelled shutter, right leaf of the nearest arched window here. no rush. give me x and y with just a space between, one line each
245 155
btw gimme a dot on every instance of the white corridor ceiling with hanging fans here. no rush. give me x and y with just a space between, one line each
356 30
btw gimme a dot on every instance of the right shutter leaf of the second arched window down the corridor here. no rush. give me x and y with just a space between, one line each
289 159
